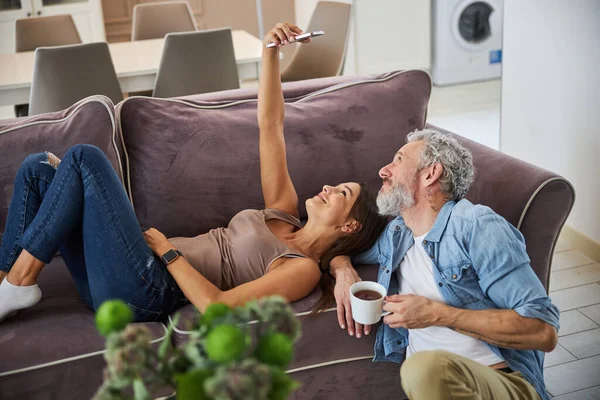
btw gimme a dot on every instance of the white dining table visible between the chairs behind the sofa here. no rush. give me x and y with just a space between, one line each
136 65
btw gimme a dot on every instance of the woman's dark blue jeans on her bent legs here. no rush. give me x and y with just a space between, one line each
81 209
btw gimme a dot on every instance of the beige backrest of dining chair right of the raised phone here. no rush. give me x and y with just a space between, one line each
325 55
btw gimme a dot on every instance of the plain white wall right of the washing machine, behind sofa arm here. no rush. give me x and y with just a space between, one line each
551 95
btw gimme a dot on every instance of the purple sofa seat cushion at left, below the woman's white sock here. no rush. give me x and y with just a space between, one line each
58 331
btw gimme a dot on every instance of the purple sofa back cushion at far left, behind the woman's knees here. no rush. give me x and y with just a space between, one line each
90 121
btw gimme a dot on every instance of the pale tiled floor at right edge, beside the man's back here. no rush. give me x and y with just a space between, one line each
572 370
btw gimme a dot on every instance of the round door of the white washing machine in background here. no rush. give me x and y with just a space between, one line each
474 23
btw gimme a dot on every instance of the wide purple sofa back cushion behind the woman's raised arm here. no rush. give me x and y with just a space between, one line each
192 165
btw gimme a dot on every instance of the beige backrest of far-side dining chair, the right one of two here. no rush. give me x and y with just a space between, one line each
155 20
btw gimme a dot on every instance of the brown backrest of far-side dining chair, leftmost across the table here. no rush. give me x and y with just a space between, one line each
55 30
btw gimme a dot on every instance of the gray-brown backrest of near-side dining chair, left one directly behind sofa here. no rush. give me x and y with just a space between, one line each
63 75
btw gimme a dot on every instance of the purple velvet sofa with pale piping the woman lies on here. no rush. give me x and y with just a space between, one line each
190 164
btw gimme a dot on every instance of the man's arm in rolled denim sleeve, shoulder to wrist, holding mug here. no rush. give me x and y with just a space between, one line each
527 318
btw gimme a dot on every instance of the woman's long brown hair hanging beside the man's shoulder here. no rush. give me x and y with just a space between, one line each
366 213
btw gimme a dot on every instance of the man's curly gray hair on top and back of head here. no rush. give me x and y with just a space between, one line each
458 173
